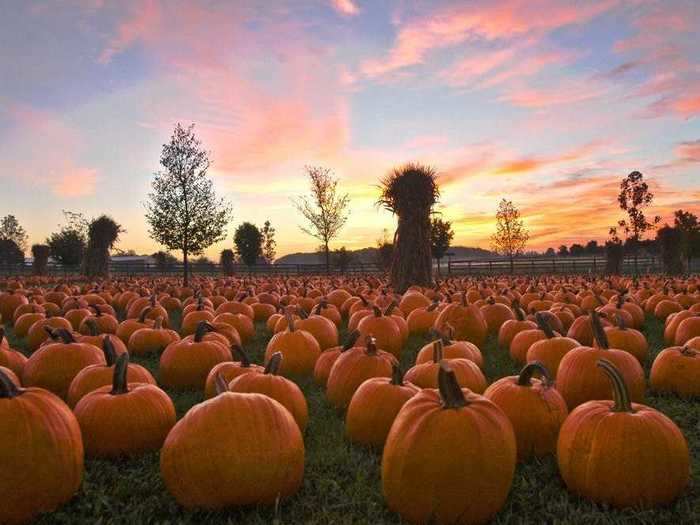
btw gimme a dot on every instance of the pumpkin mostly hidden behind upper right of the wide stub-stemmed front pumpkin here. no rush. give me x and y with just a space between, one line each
277 387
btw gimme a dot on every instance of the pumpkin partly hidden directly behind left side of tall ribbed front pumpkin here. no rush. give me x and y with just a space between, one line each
374 406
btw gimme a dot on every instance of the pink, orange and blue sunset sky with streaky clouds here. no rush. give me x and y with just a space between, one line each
548 103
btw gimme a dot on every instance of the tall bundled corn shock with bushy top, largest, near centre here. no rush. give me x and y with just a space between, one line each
410 192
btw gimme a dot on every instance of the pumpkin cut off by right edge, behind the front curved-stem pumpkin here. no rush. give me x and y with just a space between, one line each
677 370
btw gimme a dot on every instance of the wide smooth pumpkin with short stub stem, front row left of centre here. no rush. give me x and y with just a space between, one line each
269 467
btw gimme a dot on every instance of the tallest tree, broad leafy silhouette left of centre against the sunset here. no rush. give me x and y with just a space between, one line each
183 211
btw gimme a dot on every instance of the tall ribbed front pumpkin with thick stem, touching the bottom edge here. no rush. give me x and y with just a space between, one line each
470 450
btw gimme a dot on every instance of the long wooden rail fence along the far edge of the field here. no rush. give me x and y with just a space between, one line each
520 265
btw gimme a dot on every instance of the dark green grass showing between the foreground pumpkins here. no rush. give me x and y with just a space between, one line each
342 482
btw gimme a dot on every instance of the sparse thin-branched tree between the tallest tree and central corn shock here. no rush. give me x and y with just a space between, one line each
325 209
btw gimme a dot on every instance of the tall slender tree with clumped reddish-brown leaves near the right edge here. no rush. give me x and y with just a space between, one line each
633 198
